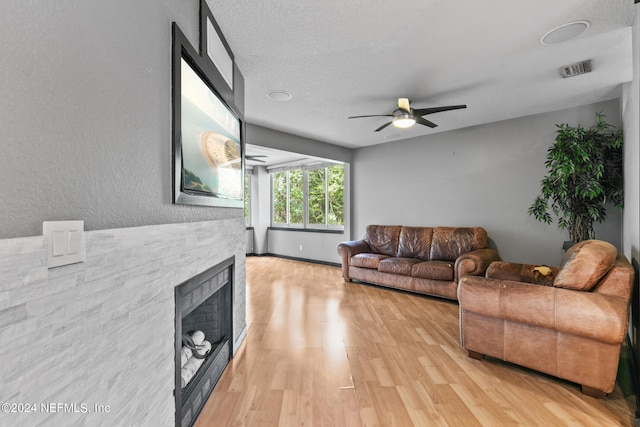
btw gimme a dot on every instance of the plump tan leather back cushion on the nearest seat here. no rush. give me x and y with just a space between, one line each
584 264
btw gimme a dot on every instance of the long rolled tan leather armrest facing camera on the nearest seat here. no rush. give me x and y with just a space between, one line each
596 316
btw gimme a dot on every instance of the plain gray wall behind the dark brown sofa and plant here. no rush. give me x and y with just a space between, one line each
484 175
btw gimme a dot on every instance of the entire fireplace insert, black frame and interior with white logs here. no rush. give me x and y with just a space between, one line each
203 332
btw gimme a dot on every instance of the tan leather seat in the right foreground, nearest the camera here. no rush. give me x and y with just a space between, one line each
569 322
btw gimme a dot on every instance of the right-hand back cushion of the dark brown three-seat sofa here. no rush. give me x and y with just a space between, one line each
449 243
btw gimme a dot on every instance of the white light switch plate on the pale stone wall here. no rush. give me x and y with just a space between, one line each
66 242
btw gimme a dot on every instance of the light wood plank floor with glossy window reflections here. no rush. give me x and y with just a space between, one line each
321 352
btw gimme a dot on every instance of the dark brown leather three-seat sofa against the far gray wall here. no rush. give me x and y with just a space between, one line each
425 260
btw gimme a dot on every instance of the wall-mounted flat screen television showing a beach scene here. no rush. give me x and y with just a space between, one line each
207 140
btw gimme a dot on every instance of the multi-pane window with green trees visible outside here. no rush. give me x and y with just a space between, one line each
311 197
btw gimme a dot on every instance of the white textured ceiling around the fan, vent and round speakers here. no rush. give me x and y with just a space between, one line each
345 58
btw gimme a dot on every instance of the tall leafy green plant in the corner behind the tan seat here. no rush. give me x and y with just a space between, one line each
584 173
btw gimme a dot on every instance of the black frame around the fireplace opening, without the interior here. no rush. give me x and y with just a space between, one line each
211 369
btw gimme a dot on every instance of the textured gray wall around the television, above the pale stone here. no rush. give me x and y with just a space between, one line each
85 123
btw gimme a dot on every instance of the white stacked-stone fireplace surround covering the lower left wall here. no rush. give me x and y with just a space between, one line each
93 343
